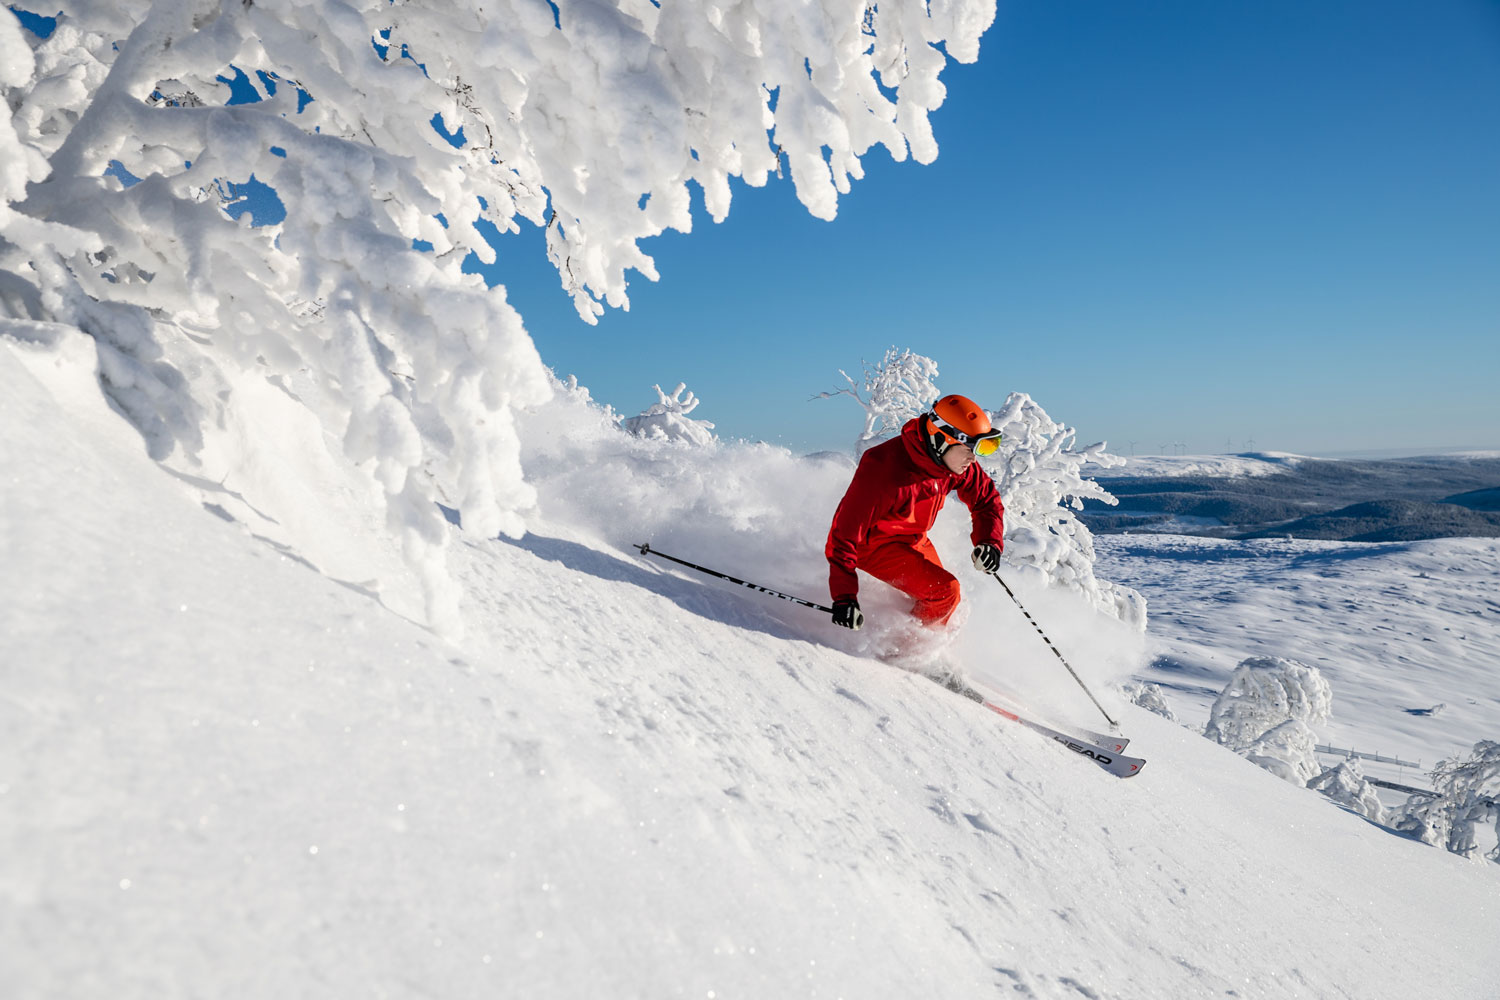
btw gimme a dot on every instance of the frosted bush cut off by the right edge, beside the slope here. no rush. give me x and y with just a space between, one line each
1468 798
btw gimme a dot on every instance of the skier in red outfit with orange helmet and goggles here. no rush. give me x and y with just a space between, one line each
901 485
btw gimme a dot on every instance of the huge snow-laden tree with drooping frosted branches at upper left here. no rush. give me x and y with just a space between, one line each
124 169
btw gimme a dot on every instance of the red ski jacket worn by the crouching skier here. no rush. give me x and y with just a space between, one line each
895 497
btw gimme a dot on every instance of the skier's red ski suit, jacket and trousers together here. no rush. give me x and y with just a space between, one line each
883 522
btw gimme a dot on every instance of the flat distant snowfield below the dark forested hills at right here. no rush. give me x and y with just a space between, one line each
1396 629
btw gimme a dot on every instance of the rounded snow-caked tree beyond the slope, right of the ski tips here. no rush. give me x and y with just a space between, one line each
1264 714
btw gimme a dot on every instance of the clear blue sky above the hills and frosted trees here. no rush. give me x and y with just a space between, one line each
1210 224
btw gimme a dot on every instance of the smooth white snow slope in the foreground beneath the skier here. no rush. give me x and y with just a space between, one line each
229 774
